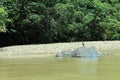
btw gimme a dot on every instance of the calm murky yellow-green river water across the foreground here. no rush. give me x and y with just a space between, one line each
104 68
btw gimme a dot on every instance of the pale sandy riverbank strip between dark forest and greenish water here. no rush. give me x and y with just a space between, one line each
42 50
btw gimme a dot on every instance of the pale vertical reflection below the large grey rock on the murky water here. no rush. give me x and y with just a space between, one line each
88 68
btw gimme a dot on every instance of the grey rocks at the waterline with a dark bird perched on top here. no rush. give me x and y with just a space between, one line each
80 52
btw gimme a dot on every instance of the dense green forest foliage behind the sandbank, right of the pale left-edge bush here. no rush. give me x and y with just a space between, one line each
45 21
